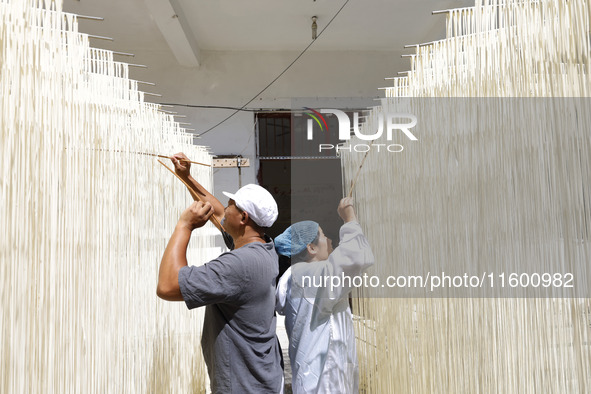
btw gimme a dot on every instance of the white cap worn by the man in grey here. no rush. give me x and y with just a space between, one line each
257 202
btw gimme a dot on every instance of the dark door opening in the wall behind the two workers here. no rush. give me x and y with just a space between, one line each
305 184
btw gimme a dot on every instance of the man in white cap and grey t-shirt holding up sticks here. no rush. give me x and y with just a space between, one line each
239 343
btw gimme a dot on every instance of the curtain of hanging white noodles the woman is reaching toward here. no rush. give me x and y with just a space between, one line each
492 185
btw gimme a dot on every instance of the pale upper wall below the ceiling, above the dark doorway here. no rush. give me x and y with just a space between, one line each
233 78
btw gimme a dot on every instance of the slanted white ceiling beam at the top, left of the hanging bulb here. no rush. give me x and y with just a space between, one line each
171 22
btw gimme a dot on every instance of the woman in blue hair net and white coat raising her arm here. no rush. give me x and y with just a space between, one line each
313 294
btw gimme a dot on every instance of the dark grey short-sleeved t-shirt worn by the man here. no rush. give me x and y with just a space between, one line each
239 343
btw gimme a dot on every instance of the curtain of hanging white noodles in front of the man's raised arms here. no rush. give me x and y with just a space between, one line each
84 218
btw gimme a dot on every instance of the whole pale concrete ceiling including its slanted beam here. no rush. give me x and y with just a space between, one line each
190 26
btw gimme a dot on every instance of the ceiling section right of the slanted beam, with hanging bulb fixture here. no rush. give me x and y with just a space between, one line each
286 25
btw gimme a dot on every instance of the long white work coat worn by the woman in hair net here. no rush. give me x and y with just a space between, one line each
318 319
